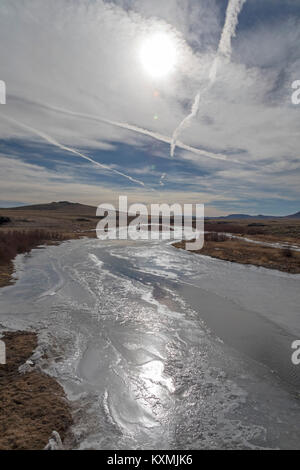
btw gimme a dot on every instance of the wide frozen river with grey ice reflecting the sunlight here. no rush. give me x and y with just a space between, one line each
163 349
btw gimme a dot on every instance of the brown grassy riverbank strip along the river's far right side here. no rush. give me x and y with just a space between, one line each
240 251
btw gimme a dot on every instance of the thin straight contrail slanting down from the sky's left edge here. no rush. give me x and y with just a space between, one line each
71 150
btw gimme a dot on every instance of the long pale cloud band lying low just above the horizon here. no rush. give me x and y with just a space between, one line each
43 185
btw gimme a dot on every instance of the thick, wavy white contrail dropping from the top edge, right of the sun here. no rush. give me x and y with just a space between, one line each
224 50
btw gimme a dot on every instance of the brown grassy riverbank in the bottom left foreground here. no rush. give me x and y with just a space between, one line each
32 404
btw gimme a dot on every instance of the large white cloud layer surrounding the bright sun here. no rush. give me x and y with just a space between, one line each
83 56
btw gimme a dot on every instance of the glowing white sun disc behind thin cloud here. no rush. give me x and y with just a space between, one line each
158 55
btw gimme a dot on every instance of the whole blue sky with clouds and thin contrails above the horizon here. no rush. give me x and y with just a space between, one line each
85 121
